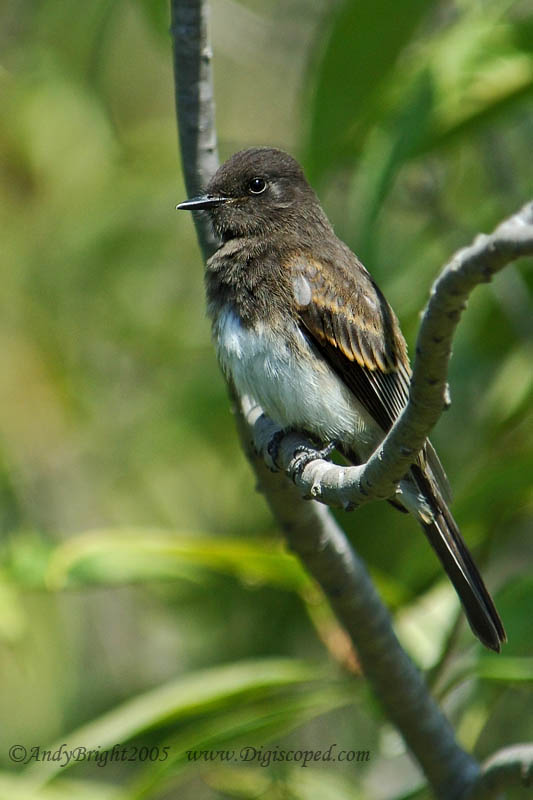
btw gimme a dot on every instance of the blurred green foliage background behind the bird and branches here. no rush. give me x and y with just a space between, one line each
144 595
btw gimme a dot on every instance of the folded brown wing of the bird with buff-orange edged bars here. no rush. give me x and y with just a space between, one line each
355 329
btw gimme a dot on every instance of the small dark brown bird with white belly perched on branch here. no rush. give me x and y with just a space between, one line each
301 327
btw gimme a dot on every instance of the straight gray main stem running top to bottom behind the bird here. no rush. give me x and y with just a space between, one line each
310 529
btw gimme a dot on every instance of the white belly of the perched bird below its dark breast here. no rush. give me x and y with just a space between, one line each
293 386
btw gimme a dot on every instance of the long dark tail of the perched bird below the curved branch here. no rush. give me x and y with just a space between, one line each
445 538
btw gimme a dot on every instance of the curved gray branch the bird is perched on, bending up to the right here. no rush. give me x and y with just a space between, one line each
349 487
